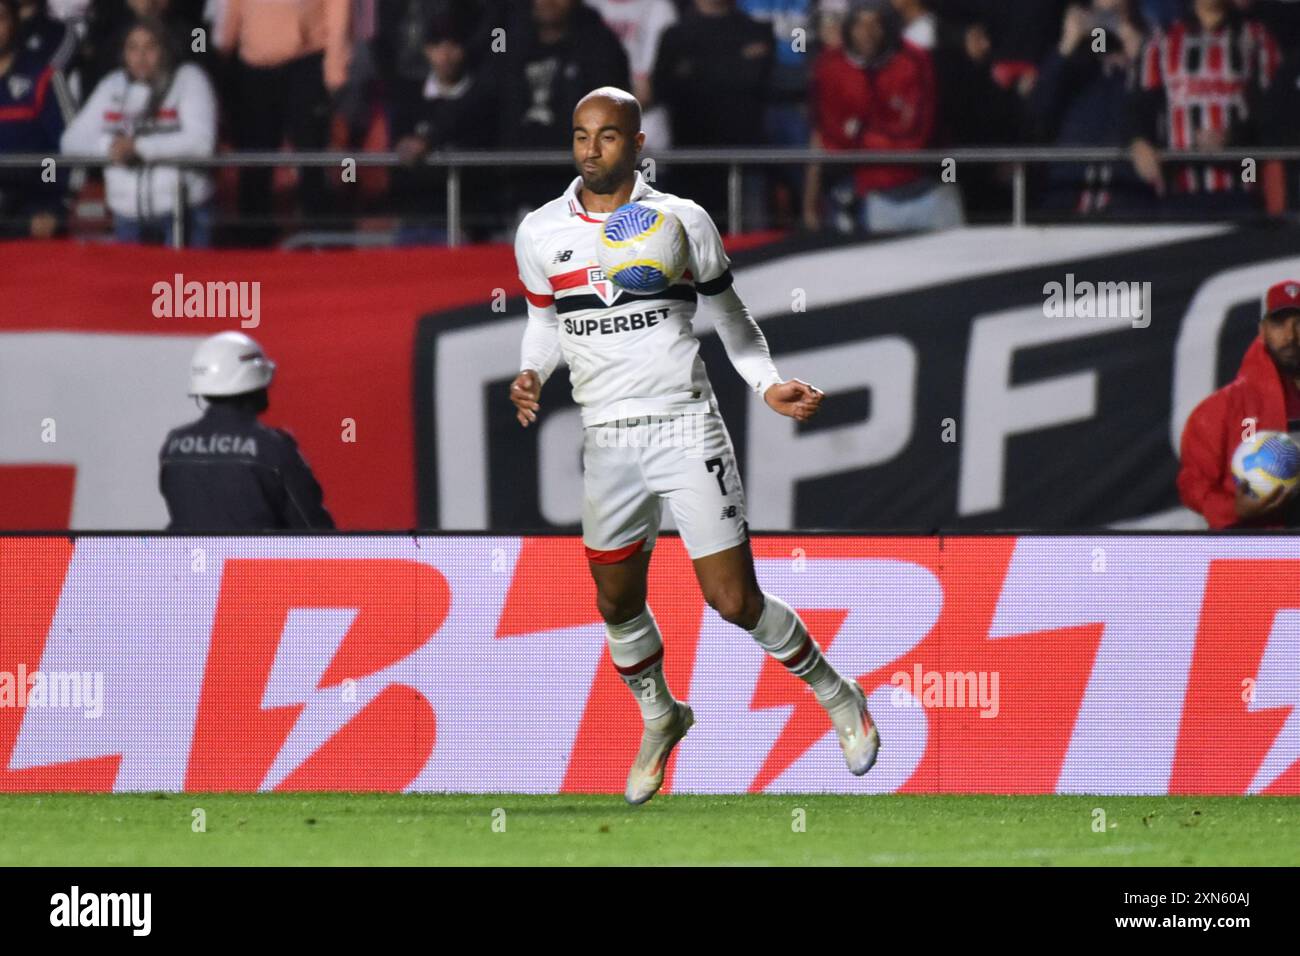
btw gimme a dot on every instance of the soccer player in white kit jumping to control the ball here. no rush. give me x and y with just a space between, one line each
652 430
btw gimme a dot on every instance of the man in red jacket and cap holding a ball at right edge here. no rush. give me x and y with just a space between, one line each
1266 396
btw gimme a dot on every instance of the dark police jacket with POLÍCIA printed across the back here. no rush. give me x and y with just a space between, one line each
231 473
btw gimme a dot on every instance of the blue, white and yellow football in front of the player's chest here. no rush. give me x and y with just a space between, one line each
643 249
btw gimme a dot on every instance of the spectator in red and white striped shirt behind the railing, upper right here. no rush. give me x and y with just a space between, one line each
1198 86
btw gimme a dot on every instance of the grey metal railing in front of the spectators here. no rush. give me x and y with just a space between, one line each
735 159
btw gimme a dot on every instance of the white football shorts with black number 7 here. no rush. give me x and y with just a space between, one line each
631 465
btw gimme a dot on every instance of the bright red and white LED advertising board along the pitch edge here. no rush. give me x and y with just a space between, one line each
1012 665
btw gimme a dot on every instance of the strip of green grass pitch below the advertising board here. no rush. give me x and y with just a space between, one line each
374 829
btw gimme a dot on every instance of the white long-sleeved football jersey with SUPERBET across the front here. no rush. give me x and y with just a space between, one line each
629 354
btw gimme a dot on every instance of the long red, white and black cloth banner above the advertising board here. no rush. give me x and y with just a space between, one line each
959 397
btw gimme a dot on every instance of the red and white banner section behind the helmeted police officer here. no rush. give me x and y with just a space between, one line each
96 345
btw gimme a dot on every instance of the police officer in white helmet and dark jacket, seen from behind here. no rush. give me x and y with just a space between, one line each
228 471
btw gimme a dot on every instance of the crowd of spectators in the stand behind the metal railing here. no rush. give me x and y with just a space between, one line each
142 81
